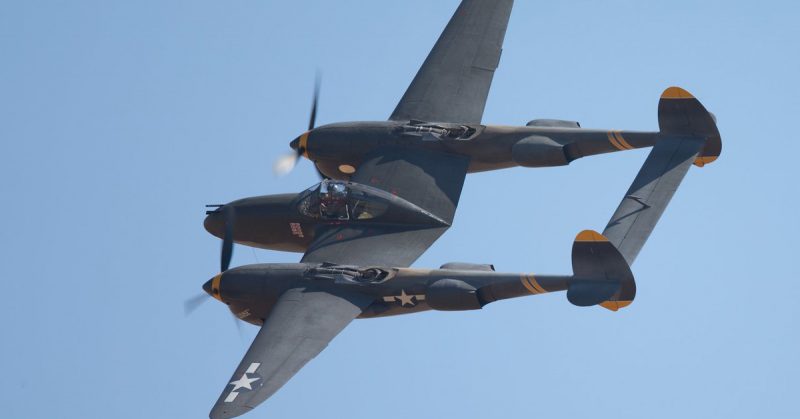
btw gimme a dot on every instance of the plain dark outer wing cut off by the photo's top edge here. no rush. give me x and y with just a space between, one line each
453 82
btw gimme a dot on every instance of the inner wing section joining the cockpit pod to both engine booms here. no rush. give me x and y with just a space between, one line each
428 179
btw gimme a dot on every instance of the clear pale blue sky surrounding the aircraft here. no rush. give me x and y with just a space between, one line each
120 120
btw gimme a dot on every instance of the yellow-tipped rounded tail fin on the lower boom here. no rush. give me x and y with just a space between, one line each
601 276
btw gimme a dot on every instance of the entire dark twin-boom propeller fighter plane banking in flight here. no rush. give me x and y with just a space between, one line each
390 189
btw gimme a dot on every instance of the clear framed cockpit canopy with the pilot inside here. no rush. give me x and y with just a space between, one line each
337 201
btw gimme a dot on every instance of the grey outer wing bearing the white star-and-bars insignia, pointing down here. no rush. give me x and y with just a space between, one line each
299 327
